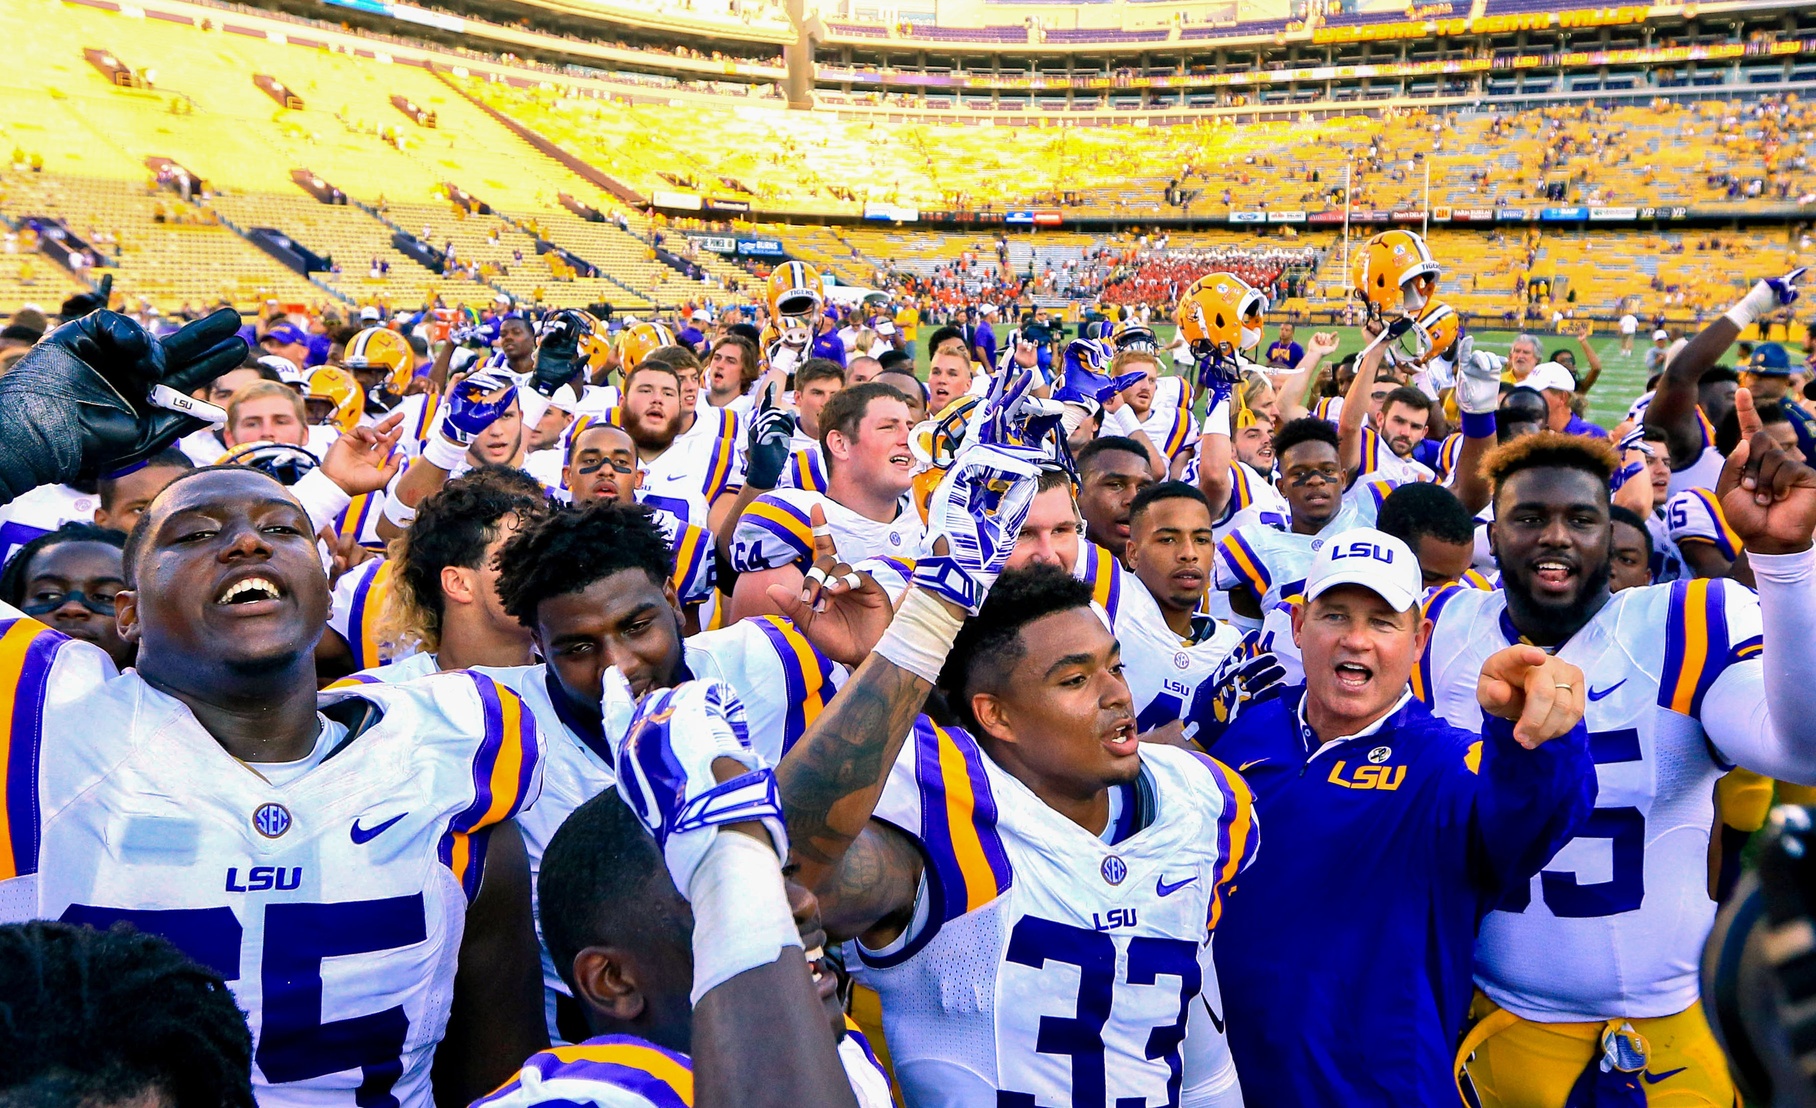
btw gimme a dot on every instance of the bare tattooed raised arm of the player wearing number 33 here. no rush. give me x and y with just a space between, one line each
864 873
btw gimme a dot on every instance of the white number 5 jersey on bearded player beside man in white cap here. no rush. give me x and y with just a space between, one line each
1615 924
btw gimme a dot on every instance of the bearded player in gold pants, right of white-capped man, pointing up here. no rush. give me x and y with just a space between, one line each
1594 967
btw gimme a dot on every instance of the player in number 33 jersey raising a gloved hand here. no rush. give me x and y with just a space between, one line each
1036 860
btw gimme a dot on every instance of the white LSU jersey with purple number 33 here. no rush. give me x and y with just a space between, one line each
1029 924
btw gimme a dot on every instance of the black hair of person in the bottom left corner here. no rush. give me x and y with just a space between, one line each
104 1018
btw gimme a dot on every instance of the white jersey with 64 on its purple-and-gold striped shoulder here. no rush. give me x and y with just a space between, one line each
776 529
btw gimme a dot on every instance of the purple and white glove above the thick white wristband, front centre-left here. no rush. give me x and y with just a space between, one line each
666 749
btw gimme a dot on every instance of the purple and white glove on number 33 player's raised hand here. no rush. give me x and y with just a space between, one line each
978 509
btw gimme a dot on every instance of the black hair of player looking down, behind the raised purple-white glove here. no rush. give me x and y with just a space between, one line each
571 549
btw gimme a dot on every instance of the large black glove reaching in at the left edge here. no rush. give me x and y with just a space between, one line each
77 406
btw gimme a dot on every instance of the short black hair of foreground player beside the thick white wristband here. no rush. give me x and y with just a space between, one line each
595 884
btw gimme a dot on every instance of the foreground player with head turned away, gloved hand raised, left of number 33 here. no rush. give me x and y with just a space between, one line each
693 982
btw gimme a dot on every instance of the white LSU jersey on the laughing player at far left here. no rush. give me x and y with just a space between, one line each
333 902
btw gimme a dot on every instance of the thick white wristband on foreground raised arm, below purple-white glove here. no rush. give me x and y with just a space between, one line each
742 918
